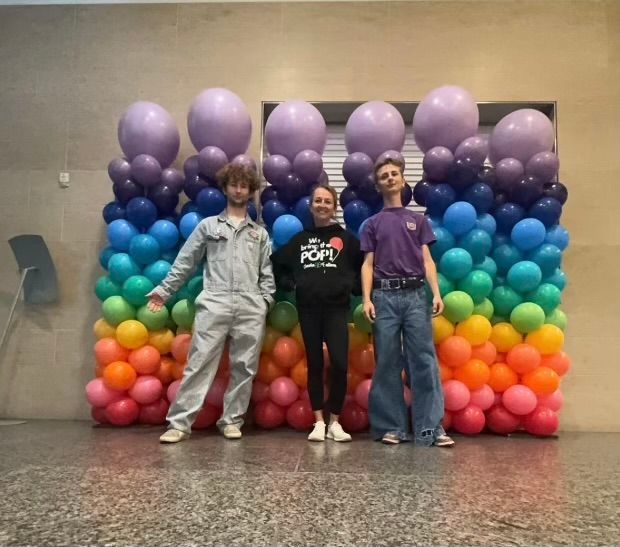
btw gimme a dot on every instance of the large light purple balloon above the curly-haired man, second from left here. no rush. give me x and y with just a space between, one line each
218 117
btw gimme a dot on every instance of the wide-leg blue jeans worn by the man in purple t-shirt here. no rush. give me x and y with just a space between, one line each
403 327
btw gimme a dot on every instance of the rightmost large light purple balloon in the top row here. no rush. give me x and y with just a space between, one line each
521 135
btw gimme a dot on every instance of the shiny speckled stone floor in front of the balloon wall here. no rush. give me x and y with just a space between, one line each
71 483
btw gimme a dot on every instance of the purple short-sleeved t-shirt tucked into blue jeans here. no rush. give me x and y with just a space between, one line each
396 236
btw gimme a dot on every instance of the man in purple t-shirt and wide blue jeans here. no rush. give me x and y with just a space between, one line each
397 261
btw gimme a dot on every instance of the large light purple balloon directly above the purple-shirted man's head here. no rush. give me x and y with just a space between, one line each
373 128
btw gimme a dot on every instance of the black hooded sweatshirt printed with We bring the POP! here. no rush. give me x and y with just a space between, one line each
323 264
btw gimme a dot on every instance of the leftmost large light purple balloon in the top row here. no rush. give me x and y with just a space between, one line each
147 128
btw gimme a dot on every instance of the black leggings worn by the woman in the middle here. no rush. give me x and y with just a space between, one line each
329 325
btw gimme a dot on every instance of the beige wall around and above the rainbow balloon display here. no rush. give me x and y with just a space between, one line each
67 73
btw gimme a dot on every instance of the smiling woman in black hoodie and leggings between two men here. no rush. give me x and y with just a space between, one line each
323 264
